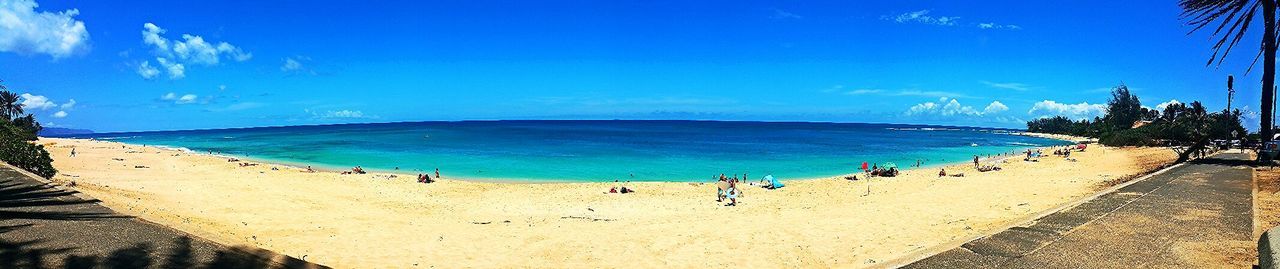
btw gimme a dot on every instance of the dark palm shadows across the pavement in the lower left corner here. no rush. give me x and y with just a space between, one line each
28 204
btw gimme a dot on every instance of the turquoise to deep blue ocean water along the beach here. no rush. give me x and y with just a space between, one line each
598 151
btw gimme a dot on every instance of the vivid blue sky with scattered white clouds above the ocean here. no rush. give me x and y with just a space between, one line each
145 66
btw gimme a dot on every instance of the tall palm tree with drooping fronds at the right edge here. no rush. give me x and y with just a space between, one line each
1236 17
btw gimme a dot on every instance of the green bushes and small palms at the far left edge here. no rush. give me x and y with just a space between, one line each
17 135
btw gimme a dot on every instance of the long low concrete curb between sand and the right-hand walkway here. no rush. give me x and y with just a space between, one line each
931 252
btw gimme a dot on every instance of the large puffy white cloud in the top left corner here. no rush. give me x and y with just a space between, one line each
26 31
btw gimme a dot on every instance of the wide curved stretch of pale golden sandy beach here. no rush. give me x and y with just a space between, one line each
390 221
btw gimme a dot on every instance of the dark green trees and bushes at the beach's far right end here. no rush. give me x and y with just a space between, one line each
1178 125
